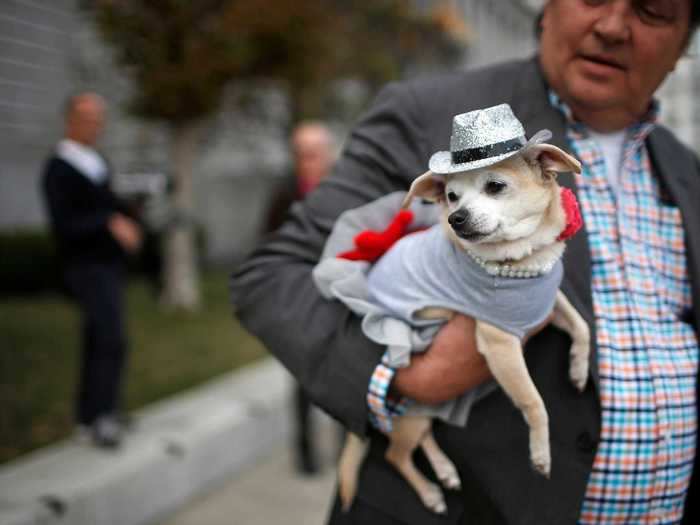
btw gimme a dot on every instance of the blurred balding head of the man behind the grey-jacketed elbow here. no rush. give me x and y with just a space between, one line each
313 151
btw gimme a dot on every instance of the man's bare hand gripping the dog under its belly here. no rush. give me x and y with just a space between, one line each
450 367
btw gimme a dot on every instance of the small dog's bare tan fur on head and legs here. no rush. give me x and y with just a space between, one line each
533 177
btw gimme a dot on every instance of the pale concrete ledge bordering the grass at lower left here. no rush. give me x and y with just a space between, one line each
182 447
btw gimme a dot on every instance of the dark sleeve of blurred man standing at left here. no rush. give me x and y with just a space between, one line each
69 221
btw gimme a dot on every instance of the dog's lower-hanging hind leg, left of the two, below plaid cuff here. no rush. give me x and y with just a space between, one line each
407 434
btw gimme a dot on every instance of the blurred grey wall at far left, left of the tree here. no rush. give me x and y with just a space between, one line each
35 52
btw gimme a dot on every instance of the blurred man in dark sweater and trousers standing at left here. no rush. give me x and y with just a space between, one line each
94 233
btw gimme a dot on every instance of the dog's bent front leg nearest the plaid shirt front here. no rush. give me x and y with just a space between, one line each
568 319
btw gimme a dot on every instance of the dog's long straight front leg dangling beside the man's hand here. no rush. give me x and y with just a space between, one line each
504 356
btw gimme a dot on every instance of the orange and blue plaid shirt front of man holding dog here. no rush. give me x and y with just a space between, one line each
647 355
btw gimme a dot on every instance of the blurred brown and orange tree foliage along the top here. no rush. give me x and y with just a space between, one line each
182 54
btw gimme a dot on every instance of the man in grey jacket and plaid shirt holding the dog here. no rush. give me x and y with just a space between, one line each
624 451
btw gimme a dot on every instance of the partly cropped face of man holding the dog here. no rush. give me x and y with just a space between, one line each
606 58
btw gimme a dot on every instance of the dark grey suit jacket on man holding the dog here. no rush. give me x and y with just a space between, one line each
322 345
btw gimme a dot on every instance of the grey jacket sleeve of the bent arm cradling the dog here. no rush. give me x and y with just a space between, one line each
320 341
